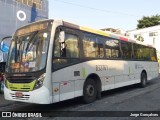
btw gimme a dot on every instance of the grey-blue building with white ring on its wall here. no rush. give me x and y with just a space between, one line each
17 13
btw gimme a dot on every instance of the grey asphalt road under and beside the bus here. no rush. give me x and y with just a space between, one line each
120 102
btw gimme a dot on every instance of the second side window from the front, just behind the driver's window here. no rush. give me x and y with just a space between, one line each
92 46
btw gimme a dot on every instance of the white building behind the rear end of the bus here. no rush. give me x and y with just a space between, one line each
150 35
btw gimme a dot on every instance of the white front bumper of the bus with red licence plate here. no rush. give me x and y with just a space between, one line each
39 96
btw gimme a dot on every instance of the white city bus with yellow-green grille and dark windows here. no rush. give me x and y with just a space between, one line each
53 60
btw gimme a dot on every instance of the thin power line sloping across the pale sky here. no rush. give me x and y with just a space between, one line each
101 10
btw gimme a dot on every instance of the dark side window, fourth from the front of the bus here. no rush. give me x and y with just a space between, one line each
126 50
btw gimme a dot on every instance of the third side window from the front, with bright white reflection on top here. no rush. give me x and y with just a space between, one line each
112 48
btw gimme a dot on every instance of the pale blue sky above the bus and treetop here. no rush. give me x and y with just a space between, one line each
103 13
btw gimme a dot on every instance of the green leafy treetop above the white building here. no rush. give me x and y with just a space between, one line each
147 21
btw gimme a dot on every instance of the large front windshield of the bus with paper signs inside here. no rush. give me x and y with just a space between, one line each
28 50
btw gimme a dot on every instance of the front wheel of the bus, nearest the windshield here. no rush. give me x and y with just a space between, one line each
89 91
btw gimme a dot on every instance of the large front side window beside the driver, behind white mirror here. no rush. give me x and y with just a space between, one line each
66 50
